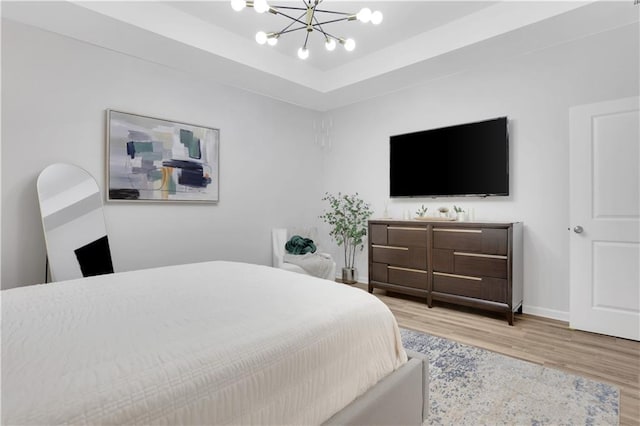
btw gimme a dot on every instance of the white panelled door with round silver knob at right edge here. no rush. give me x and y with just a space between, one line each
604 218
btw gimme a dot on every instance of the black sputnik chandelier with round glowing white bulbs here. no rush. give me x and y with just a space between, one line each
310 19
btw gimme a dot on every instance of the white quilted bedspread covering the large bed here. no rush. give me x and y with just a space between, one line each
209 343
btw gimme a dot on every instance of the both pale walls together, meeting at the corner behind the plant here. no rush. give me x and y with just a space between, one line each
55 91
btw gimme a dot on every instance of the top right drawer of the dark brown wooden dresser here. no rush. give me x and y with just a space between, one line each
481 240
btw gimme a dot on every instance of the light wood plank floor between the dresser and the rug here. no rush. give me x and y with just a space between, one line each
540 340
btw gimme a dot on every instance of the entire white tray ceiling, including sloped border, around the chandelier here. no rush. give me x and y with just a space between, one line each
418 40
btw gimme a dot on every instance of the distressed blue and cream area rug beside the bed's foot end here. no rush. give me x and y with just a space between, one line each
473 386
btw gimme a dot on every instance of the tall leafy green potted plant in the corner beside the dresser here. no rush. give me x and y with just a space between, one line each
347 216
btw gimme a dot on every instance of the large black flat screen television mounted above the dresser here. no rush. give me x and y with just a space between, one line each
469 159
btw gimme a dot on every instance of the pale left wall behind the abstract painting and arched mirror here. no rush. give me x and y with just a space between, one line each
55 91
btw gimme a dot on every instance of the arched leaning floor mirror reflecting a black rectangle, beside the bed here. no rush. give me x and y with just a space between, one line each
73 223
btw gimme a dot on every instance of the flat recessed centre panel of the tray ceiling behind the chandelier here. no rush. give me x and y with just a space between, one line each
402 20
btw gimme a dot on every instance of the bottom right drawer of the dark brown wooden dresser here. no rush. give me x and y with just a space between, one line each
493 289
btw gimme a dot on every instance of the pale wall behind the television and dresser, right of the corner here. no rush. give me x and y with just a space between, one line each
535 91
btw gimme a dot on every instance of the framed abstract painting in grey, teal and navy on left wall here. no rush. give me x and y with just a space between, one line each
151 159
